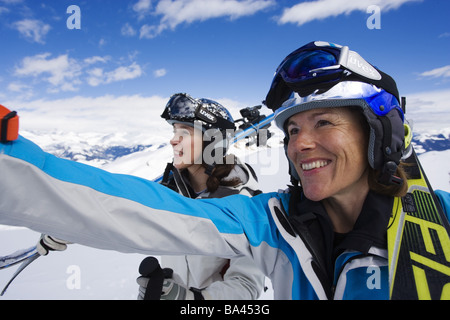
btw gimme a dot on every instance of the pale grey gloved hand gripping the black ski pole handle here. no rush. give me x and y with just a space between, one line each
173 288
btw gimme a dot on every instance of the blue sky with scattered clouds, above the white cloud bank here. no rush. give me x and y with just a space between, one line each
226 50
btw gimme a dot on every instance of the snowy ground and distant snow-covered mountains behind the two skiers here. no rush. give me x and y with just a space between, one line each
85 273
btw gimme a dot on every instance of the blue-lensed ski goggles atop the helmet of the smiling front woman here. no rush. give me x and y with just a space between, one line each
317 67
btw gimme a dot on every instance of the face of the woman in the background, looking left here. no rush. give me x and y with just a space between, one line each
187 146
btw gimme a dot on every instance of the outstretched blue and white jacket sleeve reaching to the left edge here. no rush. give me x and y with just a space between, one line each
92 207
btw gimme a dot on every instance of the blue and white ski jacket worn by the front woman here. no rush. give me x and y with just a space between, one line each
85 205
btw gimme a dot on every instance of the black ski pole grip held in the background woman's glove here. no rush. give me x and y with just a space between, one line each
151 269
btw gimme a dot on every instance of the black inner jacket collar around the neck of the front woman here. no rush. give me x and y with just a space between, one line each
310 221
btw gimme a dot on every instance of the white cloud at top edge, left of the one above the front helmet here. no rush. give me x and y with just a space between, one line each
177 12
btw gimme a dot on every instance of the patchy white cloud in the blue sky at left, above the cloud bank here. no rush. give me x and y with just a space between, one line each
63 73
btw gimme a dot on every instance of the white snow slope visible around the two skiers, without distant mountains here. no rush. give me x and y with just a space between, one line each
86 273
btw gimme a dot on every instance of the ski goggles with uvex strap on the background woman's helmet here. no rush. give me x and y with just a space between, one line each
183 108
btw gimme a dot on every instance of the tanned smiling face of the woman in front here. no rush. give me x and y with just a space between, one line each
328 148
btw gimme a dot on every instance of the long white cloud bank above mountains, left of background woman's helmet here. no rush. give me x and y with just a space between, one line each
104 114
